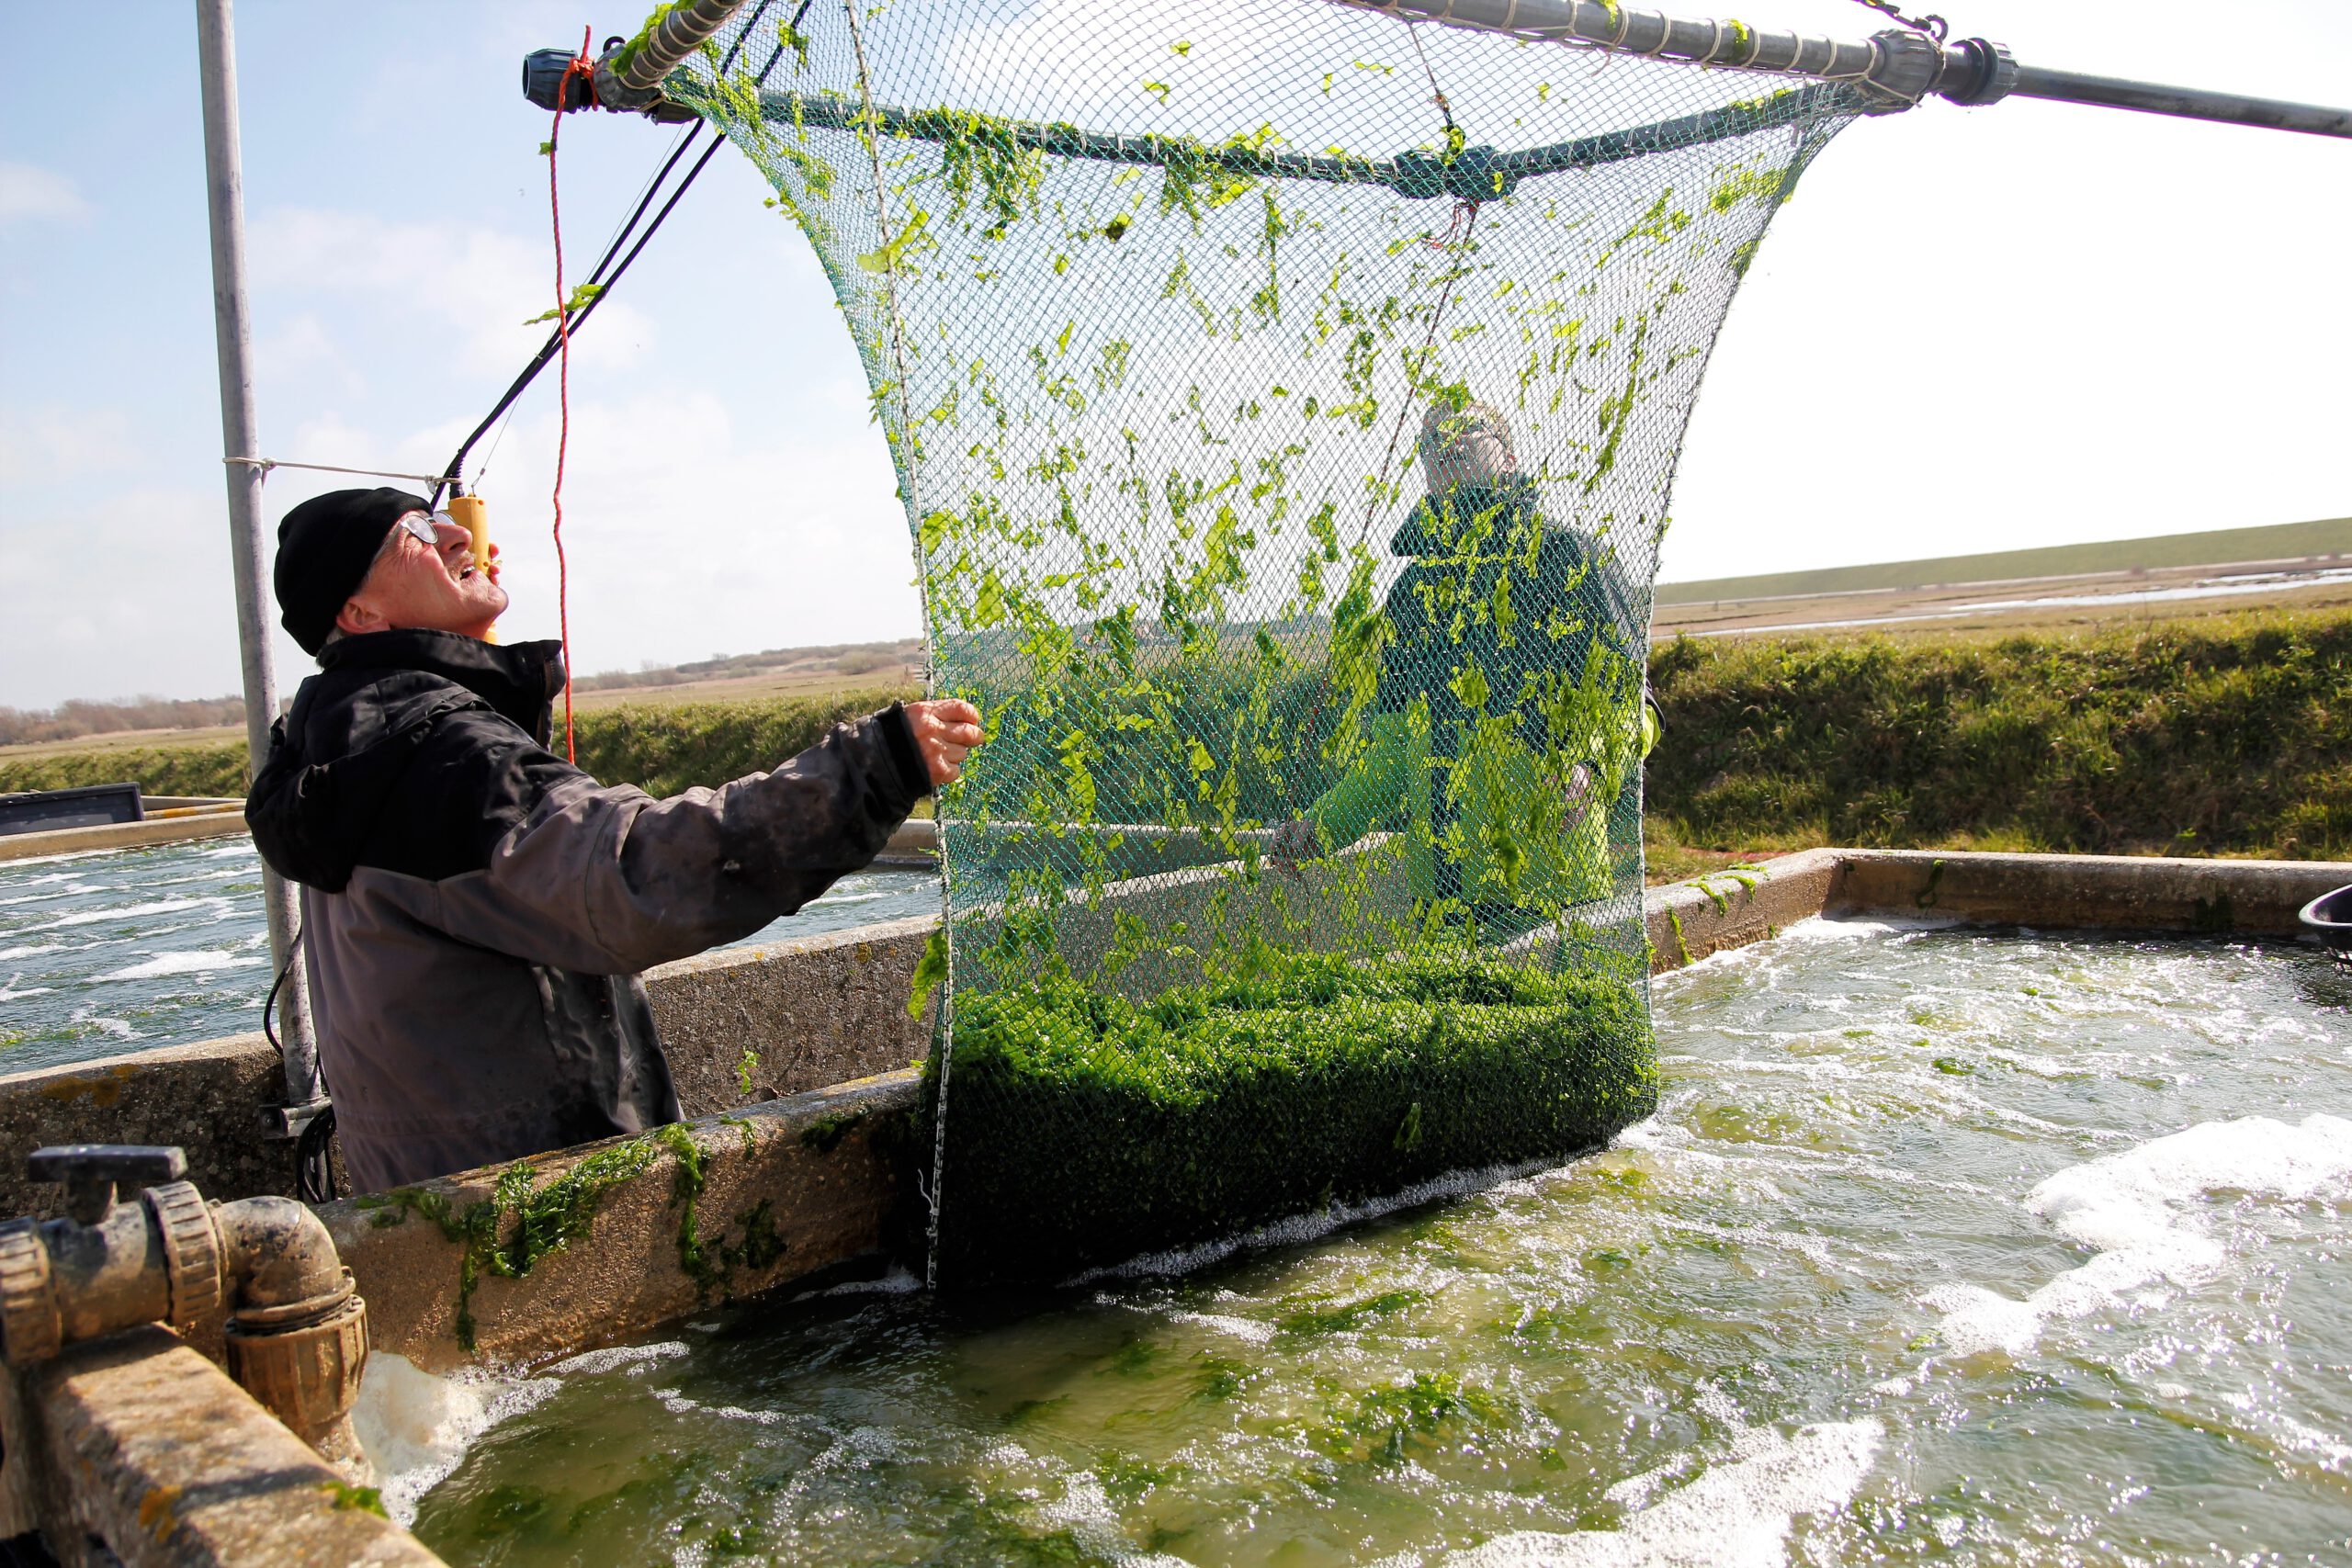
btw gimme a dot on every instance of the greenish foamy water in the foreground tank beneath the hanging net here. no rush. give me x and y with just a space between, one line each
1944 1247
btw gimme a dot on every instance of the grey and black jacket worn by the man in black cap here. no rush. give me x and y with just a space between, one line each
476 909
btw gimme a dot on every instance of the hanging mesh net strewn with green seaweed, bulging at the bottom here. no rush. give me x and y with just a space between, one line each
1285 406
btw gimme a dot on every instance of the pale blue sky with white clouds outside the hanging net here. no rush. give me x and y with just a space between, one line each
1972 330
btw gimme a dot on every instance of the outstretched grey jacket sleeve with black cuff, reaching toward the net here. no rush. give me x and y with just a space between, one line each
610 880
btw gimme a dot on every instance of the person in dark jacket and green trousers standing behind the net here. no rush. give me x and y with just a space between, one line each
1509 706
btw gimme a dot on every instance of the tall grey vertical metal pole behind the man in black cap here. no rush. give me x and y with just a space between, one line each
225 182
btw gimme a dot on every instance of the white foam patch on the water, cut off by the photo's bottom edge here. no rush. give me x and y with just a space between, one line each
1735 1515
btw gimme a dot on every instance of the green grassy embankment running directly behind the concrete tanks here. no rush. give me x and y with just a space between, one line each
2217 735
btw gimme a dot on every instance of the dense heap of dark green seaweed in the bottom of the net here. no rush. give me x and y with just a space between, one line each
1093 1130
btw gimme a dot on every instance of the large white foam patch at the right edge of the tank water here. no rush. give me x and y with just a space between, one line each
2146 1219
